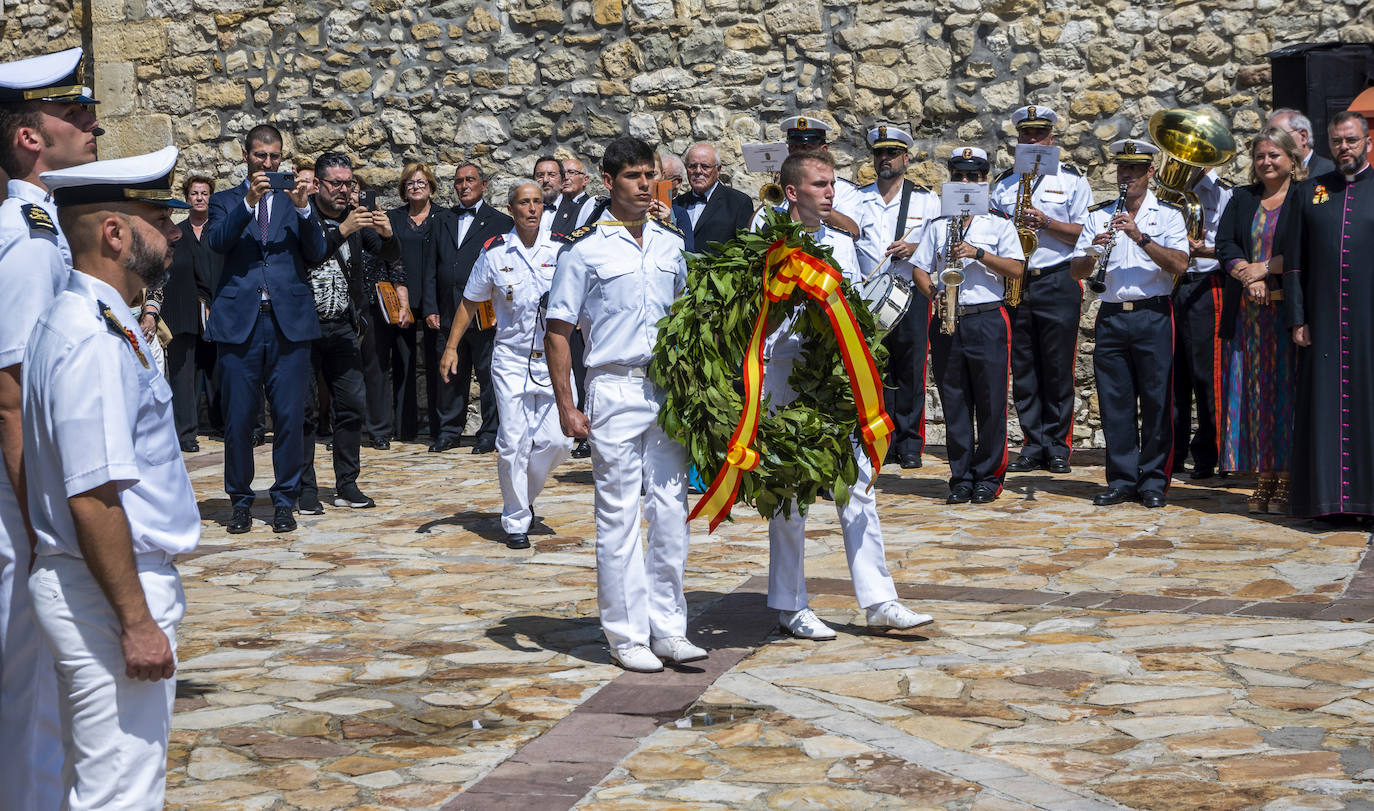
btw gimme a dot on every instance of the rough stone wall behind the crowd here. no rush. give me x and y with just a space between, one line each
499 82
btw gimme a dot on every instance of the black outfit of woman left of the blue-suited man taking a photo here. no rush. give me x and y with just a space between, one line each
196 273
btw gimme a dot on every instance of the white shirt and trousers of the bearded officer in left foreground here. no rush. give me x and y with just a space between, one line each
94 414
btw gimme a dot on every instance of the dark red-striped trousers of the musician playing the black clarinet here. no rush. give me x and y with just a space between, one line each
1133 364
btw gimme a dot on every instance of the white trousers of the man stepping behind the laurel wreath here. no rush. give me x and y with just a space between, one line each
858 523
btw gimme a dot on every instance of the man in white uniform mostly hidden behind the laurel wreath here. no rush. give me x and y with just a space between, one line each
809 179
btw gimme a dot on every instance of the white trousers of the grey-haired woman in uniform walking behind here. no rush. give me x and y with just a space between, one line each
530 442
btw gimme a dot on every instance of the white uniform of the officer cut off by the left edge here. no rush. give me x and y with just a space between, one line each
34 269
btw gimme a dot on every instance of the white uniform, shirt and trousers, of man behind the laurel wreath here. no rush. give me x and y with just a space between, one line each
859 518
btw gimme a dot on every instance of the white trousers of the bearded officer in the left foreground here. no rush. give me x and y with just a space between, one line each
115 729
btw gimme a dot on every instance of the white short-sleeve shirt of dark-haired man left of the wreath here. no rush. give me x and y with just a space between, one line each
619 289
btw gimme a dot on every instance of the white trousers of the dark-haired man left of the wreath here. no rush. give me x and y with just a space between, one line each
640 596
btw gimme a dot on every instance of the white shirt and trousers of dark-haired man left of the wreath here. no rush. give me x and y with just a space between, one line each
619 291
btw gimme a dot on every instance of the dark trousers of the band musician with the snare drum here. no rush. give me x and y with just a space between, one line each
905 394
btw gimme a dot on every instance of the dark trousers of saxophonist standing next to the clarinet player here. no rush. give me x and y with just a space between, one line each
1045 342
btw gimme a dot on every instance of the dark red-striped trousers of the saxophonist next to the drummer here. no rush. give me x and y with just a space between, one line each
972 369
